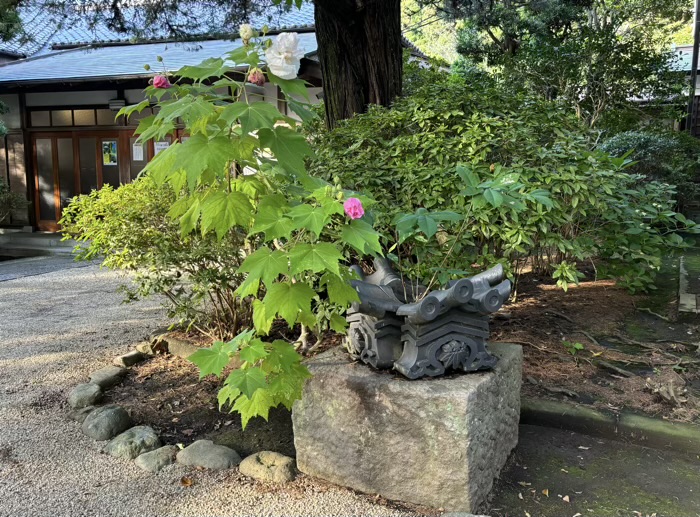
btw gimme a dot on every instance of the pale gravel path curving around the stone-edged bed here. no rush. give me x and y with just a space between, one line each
56 327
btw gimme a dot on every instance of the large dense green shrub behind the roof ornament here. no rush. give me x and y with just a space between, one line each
474 173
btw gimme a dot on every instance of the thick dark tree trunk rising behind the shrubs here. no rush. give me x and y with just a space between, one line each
359 48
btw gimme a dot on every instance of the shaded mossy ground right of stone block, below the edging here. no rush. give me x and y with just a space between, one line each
599 478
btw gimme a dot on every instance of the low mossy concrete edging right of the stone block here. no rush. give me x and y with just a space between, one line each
626 427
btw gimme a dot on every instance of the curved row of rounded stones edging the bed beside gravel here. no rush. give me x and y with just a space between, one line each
146 449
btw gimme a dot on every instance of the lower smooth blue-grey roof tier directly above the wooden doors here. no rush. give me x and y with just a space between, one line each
122 61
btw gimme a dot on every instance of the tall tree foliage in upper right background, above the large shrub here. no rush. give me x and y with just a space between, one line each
600 57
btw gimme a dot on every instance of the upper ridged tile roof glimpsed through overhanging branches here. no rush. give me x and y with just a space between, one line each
44 33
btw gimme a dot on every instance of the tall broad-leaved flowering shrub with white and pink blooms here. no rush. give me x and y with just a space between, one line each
297 238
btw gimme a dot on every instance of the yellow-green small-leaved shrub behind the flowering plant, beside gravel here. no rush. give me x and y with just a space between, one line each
130 229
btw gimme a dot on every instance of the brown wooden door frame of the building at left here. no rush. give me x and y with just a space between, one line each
120 135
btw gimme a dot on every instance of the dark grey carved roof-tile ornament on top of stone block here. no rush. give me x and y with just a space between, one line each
397 324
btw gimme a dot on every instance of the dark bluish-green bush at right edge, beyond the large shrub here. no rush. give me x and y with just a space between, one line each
662 156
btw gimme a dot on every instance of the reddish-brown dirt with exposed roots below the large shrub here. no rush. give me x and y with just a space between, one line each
597 344
